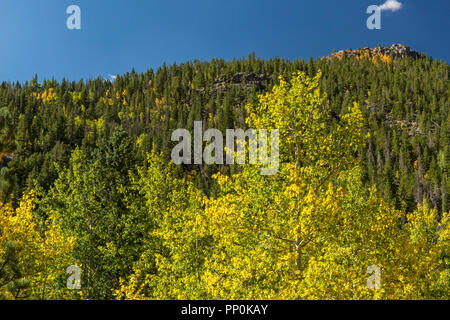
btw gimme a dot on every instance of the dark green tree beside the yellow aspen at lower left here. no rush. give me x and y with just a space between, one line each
90 199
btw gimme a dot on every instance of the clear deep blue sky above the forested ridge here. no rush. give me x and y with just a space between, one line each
117 35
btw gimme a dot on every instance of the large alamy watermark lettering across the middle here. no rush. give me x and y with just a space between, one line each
214 151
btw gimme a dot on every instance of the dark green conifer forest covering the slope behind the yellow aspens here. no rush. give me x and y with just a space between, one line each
404 102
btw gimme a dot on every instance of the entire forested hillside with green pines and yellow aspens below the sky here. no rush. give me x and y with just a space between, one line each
86 179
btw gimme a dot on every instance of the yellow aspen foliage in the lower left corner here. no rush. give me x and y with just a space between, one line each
43 251
